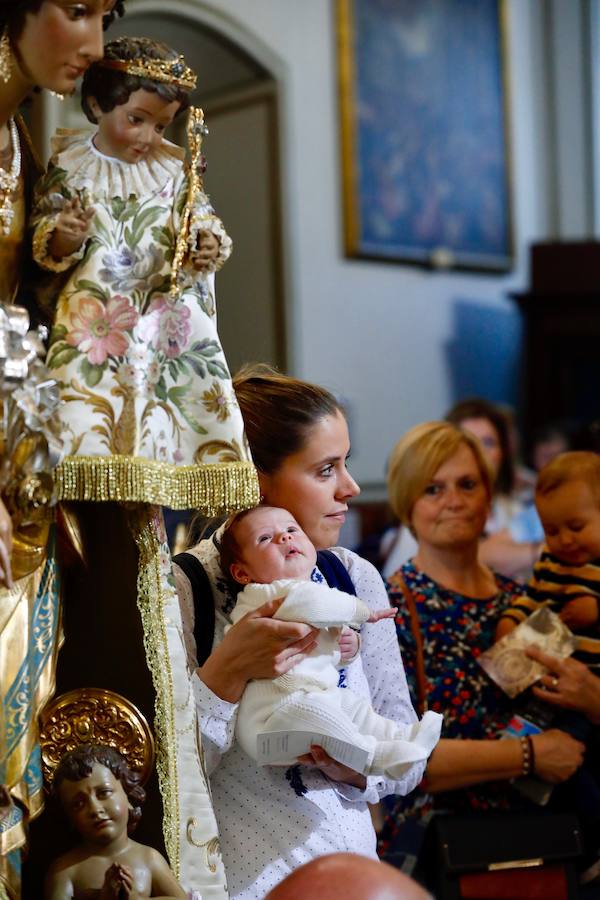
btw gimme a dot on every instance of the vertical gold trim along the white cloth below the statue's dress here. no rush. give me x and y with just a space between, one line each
151 603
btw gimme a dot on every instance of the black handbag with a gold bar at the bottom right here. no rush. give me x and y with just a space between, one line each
495 855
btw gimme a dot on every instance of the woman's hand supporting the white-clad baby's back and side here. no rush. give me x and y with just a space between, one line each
257 646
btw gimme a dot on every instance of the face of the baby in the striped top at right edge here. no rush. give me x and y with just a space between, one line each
571 519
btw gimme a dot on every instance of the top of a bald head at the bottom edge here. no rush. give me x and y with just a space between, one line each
346 876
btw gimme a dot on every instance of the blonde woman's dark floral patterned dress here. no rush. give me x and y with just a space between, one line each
455 630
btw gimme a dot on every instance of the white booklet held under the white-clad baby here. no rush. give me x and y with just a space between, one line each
277 748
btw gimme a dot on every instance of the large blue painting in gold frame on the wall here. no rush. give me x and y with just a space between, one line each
424 136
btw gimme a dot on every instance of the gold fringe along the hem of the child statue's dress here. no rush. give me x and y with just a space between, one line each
214 488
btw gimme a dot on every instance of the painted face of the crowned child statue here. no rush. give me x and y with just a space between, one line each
131 131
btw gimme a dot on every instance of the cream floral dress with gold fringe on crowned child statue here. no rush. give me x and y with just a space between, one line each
149 411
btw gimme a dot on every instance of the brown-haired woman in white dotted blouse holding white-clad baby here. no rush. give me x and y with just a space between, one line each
271 819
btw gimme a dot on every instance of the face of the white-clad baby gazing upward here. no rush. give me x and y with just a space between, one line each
274 546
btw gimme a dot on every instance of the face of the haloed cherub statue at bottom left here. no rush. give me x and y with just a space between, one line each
97 806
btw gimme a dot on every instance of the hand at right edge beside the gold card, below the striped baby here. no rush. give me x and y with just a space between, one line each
569 683
